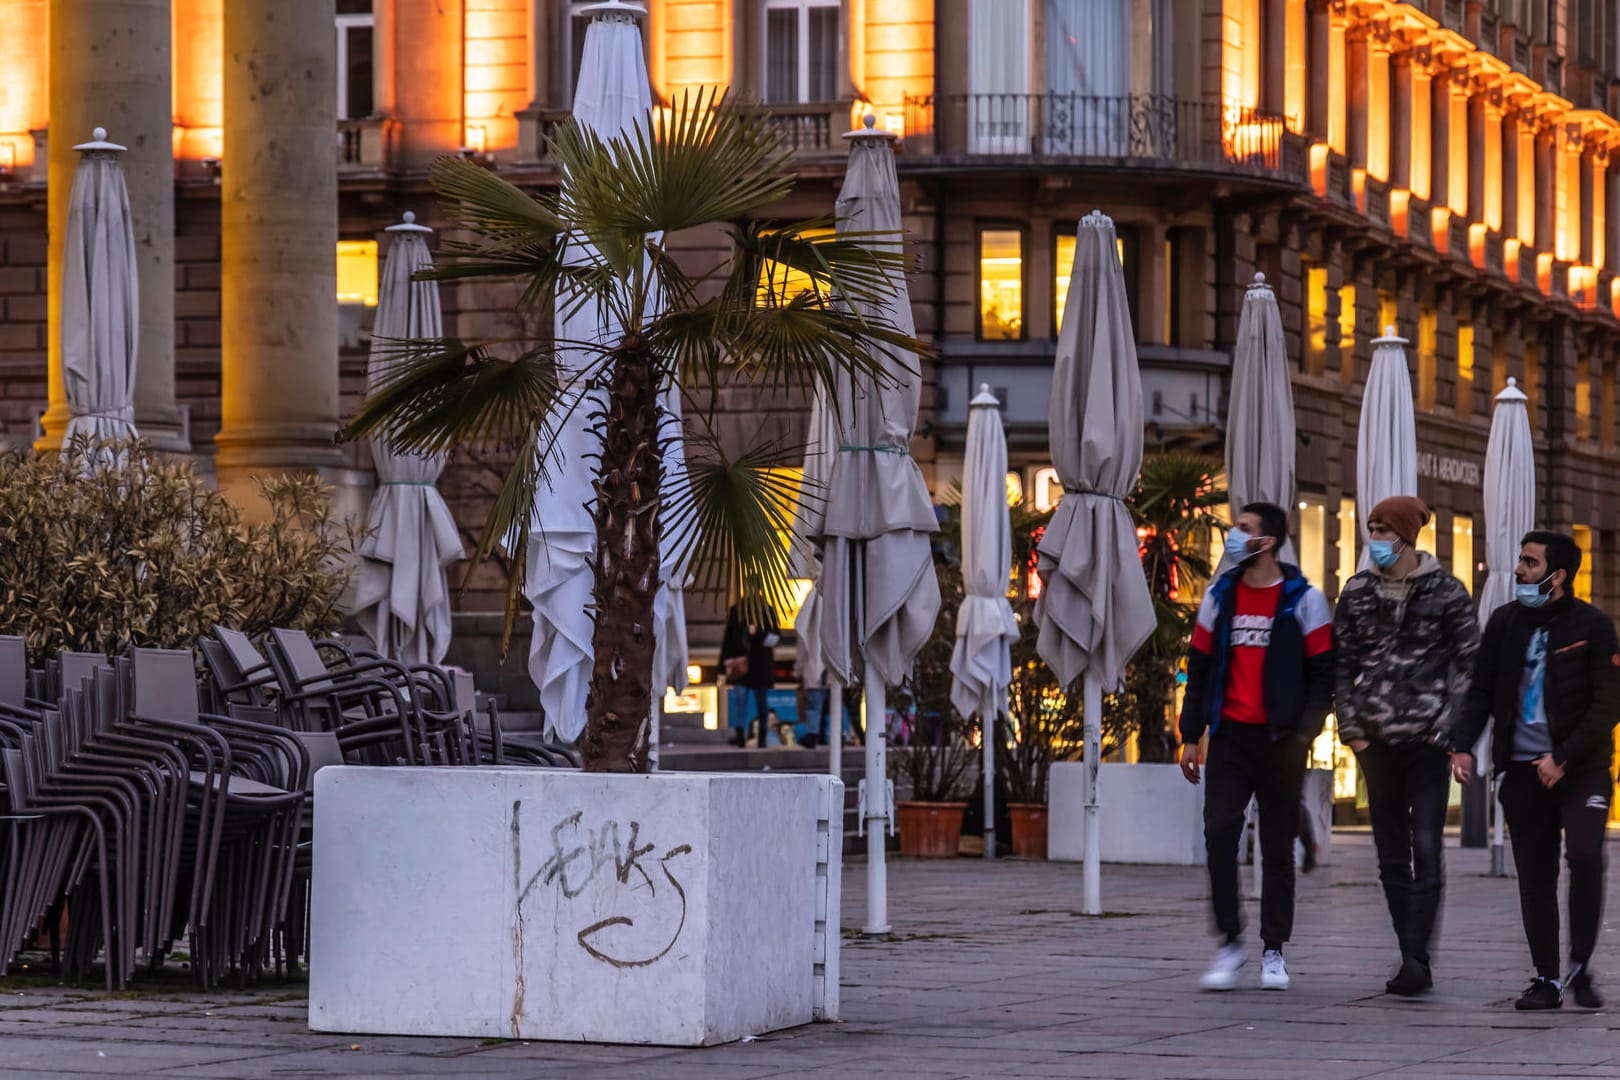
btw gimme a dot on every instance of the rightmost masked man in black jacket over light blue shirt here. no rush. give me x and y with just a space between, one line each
1550 674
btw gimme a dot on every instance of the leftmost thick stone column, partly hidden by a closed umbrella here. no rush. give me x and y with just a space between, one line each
111 67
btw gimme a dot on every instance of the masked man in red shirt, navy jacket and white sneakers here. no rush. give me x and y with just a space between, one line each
1260 681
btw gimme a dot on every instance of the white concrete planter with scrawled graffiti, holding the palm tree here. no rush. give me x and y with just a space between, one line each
544 904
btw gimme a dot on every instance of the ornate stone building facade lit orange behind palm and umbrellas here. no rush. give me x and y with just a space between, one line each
1441 168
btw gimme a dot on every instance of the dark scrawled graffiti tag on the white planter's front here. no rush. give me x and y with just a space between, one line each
615 859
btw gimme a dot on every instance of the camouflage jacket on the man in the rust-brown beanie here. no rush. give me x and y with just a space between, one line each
1405 655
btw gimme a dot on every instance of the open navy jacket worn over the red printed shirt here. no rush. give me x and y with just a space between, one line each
1298 670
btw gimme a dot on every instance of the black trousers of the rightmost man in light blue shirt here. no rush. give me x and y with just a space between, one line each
1579 809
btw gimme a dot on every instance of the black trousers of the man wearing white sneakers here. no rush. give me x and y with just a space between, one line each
1247 763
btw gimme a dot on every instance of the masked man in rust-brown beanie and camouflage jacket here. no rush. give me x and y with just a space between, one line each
1405 636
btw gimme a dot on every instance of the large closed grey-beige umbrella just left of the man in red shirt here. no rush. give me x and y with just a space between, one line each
1094 608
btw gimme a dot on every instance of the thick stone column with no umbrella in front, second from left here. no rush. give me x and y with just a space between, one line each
279 244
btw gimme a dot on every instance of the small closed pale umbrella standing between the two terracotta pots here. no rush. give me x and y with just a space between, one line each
986 627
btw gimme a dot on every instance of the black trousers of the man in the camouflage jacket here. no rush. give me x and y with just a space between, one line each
1409 786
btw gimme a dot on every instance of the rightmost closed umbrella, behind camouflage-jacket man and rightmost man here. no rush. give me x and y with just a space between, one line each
1511 514
